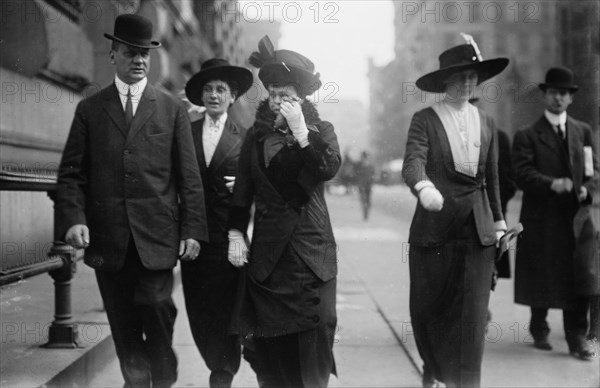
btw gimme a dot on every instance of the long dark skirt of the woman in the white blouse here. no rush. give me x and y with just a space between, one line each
449 295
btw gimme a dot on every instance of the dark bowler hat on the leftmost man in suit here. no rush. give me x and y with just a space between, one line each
134 30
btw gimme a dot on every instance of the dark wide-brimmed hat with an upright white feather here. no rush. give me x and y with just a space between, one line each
457 59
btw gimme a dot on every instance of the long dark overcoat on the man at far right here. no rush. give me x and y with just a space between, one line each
544 263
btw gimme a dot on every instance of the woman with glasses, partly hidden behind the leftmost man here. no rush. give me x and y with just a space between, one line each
210 282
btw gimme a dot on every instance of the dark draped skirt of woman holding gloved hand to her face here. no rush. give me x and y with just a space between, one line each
291 318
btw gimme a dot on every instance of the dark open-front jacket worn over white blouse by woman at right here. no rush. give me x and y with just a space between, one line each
429 157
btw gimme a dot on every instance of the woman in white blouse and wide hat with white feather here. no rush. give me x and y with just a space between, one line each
451 165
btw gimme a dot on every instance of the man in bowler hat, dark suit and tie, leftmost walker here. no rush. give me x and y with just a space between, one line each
129 192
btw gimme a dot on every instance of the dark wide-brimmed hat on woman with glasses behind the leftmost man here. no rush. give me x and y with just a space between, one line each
237 78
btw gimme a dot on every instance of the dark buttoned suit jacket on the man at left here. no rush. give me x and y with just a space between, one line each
142 182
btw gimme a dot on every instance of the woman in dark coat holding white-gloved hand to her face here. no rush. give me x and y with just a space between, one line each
288 302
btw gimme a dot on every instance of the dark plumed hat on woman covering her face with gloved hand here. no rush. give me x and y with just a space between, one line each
284 67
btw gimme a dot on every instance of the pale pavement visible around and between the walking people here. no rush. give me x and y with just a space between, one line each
374 342
